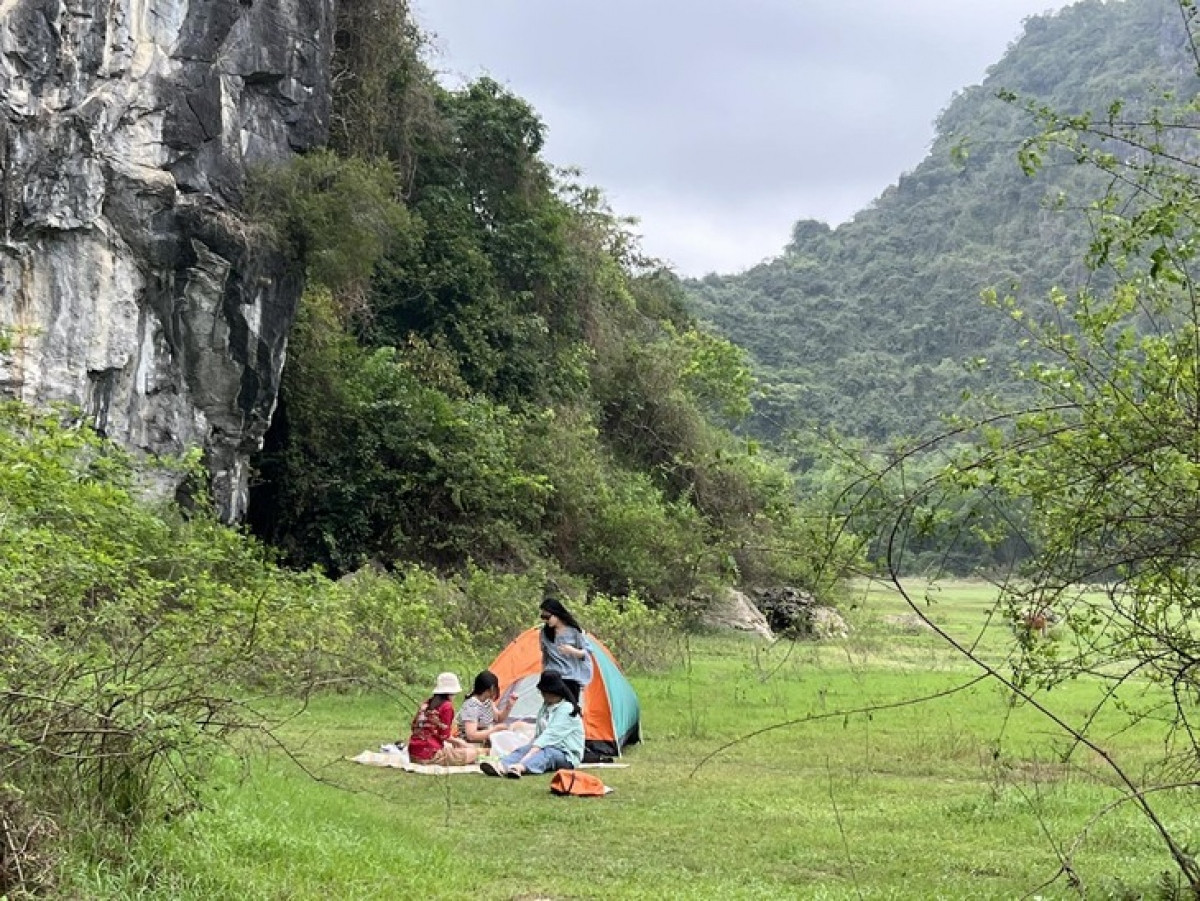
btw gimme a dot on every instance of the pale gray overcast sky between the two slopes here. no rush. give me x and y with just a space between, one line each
722 123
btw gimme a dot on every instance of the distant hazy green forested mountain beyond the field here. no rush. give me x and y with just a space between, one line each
866 328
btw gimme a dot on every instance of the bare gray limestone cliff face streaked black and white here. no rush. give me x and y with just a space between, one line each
129 283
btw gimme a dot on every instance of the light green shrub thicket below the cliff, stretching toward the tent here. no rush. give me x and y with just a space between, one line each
128 630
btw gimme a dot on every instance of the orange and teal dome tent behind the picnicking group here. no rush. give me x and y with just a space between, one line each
611 713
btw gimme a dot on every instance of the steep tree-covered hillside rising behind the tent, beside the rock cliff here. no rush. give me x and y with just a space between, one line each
485 370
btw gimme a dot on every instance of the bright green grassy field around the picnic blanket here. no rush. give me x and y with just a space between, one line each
783 772
